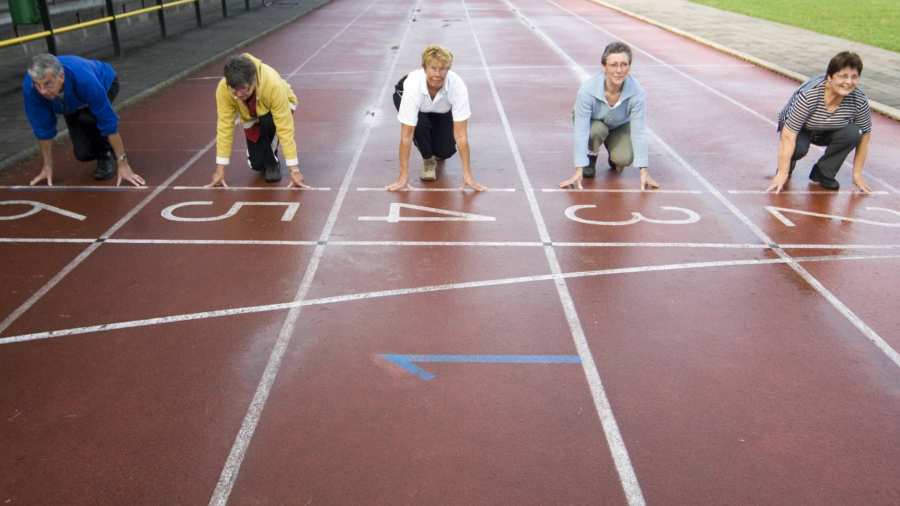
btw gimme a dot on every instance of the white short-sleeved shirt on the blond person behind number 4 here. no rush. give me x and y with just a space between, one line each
453 97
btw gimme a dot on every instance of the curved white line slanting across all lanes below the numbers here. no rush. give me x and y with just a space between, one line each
355 297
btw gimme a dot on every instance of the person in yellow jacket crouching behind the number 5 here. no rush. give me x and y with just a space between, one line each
255 95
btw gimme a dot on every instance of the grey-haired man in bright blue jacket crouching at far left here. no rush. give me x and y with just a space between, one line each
82 91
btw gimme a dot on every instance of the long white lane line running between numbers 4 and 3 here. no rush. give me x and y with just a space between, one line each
615 442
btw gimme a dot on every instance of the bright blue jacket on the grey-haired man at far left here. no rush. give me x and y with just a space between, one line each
86 85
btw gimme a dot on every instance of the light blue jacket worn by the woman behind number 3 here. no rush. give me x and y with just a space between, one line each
590 104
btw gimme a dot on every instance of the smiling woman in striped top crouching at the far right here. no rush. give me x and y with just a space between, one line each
828 110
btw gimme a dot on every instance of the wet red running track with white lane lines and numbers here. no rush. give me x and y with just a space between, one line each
738 349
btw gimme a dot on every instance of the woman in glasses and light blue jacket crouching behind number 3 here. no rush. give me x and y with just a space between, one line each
610 109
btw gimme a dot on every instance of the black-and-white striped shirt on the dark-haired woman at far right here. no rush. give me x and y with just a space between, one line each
806 109
